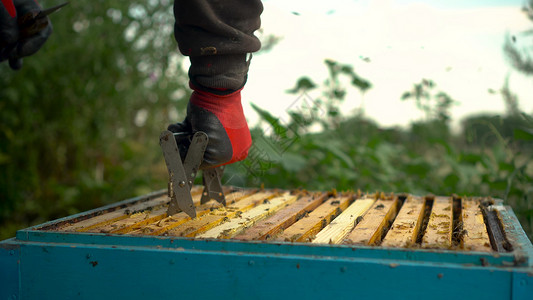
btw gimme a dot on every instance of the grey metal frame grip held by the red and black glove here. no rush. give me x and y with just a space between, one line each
183 164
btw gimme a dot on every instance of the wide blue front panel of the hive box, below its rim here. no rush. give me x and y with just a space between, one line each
98 272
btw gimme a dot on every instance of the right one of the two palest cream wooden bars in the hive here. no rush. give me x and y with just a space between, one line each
335 232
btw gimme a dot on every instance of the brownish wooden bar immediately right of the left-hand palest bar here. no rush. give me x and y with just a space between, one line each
273 225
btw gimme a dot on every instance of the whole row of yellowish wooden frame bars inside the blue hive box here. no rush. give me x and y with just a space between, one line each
318 217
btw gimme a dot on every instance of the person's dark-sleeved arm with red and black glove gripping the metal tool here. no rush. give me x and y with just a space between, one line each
218 36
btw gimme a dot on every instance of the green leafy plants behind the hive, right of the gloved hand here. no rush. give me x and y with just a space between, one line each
490 157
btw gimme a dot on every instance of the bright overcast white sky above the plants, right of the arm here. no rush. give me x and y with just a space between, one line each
394 44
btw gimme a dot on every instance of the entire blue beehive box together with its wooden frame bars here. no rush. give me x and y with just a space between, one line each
273 244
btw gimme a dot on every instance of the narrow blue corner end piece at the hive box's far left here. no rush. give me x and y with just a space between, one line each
9 269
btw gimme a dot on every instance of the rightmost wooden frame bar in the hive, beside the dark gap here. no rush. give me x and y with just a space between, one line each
475 236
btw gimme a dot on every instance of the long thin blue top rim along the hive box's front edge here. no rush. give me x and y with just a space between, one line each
305 249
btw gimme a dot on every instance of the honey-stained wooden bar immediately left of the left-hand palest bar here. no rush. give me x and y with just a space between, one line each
214 218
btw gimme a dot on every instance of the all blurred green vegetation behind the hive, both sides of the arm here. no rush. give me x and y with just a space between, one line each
79 126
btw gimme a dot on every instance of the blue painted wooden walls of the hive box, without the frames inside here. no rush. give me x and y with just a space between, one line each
56 265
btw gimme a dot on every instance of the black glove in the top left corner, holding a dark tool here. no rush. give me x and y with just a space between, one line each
14 43
